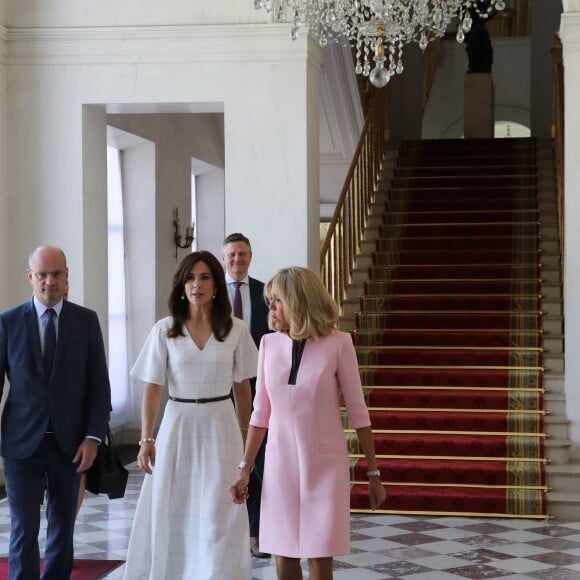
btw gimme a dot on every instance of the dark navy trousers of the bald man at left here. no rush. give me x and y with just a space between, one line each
26 481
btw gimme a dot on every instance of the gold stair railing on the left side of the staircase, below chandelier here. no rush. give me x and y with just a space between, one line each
342 243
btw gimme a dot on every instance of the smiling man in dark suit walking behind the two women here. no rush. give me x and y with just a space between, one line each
236 256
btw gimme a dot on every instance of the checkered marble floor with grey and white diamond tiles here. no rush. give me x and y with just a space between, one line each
382 546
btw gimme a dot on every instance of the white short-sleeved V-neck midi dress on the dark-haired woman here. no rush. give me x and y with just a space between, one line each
186 525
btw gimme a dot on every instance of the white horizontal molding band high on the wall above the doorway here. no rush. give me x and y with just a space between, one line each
157 44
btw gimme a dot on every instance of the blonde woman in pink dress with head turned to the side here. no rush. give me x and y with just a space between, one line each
303 369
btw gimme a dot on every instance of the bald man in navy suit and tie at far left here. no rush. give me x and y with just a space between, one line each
55 415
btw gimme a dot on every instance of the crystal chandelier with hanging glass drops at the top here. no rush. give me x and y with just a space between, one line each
378 29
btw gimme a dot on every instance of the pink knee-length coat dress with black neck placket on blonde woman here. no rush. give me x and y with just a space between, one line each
305 510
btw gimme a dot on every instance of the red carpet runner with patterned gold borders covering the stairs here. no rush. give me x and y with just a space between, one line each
449 334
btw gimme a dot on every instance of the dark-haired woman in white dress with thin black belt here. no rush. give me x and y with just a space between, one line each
185 525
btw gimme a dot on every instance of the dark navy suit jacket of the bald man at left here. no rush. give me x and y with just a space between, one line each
77 396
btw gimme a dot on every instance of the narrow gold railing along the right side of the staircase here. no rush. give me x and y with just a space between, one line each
558 136
